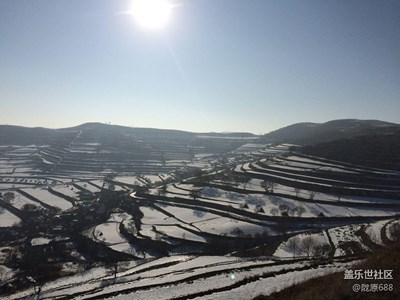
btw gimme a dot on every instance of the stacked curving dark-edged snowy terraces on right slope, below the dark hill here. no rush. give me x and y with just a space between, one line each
311 179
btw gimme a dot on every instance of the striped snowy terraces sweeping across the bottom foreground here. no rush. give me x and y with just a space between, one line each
209 276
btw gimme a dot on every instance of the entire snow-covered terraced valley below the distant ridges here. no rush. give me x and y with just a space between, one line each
250 222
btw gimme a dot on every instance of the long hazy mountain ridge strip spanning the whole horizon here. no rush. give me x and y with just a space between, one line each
306 133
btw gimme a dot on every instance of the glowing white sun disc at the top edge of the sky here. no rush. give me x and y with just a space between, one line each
152 14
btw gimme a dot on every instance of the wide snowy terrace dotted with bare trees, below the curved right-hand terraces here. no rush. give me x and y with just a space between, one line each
271 203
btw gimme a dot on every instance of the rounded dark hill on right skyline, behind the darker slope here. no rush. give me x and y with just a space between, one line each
314 133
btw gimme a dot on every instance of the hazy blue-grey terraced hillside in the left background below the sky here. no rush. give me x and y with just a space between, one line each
97 147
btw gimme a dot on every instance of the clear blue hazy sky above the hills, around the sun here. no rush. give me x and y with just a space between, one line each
218 65
